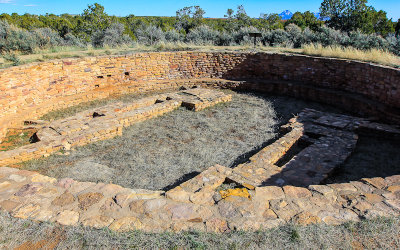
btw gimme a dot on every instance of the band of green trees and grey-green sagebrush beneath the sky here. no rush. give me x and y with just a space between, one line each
343 22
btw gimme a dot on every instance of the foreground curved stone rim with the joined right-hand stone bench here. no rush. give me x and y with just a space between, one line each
203 204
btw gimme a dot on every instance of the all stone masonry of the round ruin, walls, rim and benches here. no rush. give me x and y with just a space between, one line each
264 192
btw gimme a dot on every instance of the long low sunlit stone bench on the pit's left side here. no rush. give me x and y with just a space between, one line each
106 122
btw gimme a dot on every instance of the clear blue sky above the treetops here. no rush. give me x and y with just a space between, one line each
213 8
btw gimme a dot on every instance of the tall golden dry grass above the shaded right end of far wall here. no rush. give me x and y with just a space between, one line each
373 55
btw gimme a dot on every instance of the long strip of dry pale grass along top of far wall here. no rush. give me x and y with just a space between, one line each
373 55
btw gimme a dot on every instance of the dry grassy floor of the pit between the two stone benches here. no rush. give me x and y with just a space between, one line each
161 152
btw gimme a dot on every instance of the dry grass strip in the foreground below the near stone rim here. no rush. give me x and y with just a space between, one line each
380 233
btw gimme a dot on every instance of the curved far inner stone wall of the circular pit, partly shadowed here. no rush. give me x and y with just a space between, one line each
29 91
